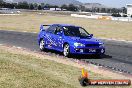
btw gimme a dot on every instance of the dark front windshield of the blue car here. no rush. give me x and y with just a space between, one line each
75 31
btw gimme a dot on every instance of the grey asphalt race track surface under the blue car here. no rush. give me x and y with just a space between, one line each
118 54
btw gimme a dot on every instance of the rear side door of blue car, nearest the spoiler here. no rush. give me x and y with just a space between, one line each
49 36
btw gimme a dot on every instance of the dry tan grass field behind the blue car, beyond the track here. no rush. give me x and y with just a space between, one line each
100 28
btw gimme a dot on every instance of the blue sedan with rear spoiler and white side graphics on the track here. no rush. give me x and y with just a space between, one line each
69 39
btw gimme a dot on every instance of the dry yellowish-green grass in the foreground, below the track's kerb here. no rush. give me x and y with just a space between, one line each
26 71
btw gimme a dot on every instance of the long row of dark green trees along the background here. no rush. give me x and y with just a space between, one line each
70 7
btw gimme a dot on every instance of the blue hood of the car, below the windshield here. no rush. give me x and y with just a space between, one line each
85 40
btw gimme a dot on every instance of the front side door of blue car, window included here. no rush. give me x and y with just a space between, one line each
58 38
